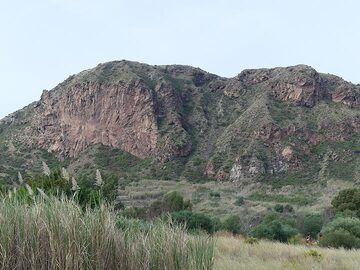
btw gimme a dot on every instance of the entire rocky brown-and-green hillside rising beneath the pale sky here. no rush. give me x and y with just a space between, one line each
280 125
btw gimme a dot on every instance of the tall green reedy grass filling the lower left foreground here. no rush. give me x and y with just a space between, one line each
58 234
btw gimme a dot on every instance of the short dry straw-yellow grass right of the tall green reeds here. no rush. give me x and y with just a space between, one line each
233 253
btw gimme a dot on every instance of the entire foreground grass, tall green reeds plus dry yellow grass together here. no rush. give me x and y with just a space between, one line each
49 233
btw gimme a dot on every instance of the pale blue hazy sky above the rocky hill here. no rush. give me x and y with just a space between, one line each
42 42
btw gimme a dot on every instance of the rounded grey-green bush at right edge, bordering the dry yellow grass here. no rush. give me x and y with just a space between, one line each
341 232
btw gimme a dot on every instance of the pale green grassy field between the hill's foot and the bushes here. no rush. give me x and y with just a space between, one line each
257 198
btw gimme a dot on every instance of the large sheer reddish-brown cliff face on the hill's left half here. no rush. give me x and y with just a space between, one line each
118 115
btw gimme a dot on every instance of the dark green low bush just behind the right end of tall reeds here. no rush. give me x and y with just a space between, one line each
193 221
